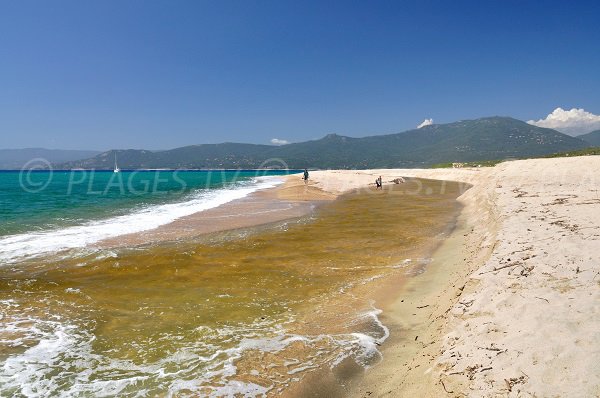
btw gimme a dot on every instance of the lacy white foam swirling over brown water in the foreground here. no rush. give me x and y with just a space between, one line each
64 363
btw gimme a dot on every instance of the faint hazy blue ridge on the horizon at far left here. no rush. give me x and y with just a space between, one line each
17 158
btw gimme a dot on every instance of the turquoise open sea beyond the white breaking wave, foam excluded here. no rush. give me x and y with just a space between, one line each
43 200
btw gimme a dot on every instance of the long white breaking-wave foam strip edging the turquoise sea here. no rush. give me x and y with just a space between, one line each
27 245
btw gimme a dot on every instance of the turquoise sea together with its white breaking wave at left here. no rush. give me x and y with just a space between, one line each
46 211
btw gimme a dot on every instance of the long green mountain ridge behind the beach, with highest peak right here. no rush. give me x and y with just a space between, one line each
462 141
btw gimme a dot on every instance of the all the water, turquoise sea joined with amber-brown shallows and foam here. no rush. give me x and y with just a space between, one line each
244 312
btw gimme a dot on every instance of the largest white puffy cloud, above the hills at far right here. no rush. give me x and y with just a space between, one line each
573 122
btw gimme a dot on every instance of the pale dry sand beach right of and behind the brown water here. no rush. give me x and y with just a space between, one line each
516 311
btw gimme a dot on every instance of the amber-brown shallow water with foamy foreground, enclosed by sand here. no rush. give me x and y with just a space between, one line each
245 311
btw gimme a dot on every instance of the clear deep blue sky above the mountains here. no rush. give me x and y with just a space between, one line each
162 74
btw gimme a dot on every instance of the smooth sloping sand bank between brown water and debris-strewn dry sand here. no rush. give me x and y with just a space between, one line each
417 311
